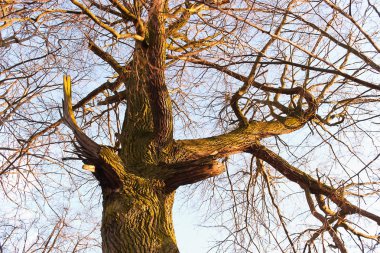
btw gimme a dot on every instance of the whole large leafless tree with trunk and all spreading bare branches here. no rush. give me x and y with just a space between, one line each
304 69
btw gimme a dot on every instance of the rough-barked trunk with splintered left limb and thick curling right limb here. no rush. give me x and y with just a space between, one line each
138 181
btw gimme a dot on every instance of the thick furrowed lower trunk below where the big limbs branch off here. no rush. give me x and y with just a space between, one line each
138 218
